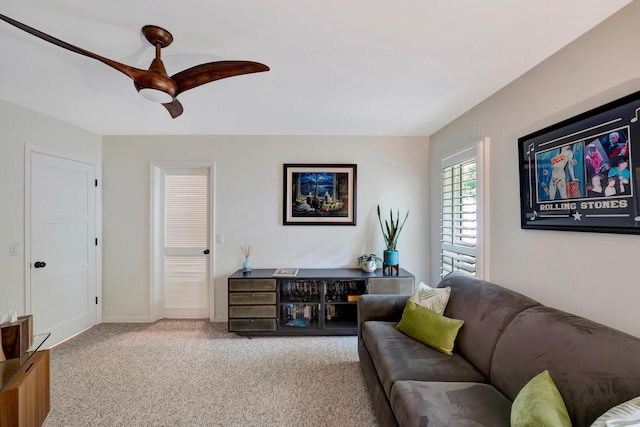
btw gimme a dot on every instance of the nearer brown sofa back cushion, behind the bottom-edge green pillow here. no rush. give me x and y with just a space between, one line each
594 367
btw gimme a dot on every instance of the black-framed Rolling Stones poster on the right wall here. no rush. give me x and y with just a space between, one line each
583 174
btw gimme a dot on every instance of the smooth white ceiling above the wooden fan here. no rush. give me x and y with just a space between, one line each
338 67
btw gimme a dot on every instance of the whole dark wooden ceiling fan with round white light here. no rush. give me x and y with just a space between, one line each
154 83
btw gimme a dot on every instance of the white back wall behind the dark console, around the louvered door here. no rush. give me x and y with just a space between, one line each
392 171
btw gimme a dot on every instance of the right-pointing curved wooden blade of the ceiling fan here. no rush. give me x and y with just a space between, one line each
205 73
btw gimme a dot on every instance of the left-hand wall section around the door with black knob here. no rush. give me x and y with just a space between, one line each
19 126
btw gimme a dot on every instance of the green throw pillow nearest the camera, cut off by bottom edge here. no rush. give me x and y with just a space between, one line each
539 404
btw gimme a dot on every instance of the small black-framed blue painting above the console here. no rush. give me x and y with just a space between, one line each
319 194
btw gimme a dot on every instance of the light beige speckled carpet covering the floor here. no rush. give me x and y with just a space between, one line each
195 373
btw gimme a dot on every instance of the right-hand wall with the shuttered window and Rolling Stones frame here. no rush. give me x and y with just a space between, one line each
556 268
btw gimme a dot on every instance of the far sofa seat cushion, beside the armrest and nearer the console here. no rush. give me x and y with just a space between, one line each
398 357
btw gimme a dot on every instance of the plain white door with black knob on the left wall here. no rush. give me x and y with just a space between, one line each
62 274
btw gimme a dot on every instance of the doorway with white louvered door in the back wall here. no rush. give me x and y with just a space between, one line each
181 241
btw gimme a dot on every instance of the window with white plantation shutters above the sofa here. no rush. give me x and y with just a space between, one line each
462 230
